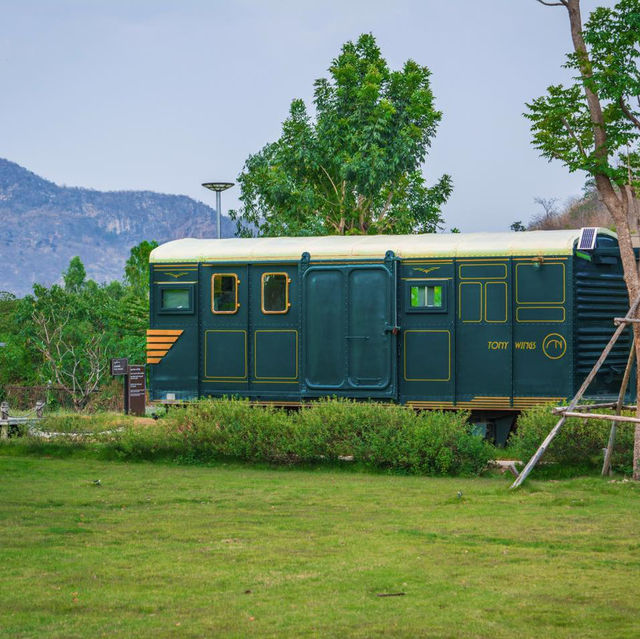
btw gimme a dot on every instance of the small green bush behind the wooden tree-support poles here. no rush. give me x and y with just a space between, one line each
578 444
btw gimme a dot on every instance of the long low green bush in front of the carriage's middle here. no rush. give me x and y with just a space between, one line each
383 436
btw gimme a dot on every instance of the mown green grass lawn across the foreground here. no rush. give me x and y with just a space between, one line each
237 551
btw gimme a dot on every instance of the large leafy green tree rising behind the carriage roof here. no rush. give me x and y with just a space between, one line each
356 167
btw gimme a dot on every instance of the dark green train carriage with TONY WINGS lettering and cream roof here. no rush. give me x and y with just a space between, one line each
491 322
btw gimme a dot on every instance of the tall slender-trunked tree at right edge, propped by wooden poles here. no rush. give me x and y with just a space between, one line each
593 125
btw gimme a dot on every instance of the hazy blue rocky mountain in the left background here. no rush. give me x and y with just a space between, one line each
43 225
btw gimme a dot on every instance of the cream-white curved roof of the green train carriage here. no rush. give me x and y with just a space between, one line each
369 246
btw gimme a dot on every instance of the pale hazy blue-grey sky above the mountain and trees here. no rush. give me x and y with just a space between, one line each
164 95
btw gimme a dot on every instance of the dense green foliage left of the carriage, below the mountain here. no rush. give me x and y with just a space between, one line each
66 334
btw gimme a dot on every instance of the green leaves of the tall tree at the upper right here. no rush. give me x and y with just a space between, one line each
561 121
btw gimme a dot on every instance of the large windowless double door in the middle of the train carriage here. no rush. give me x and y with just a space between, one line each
348 344
